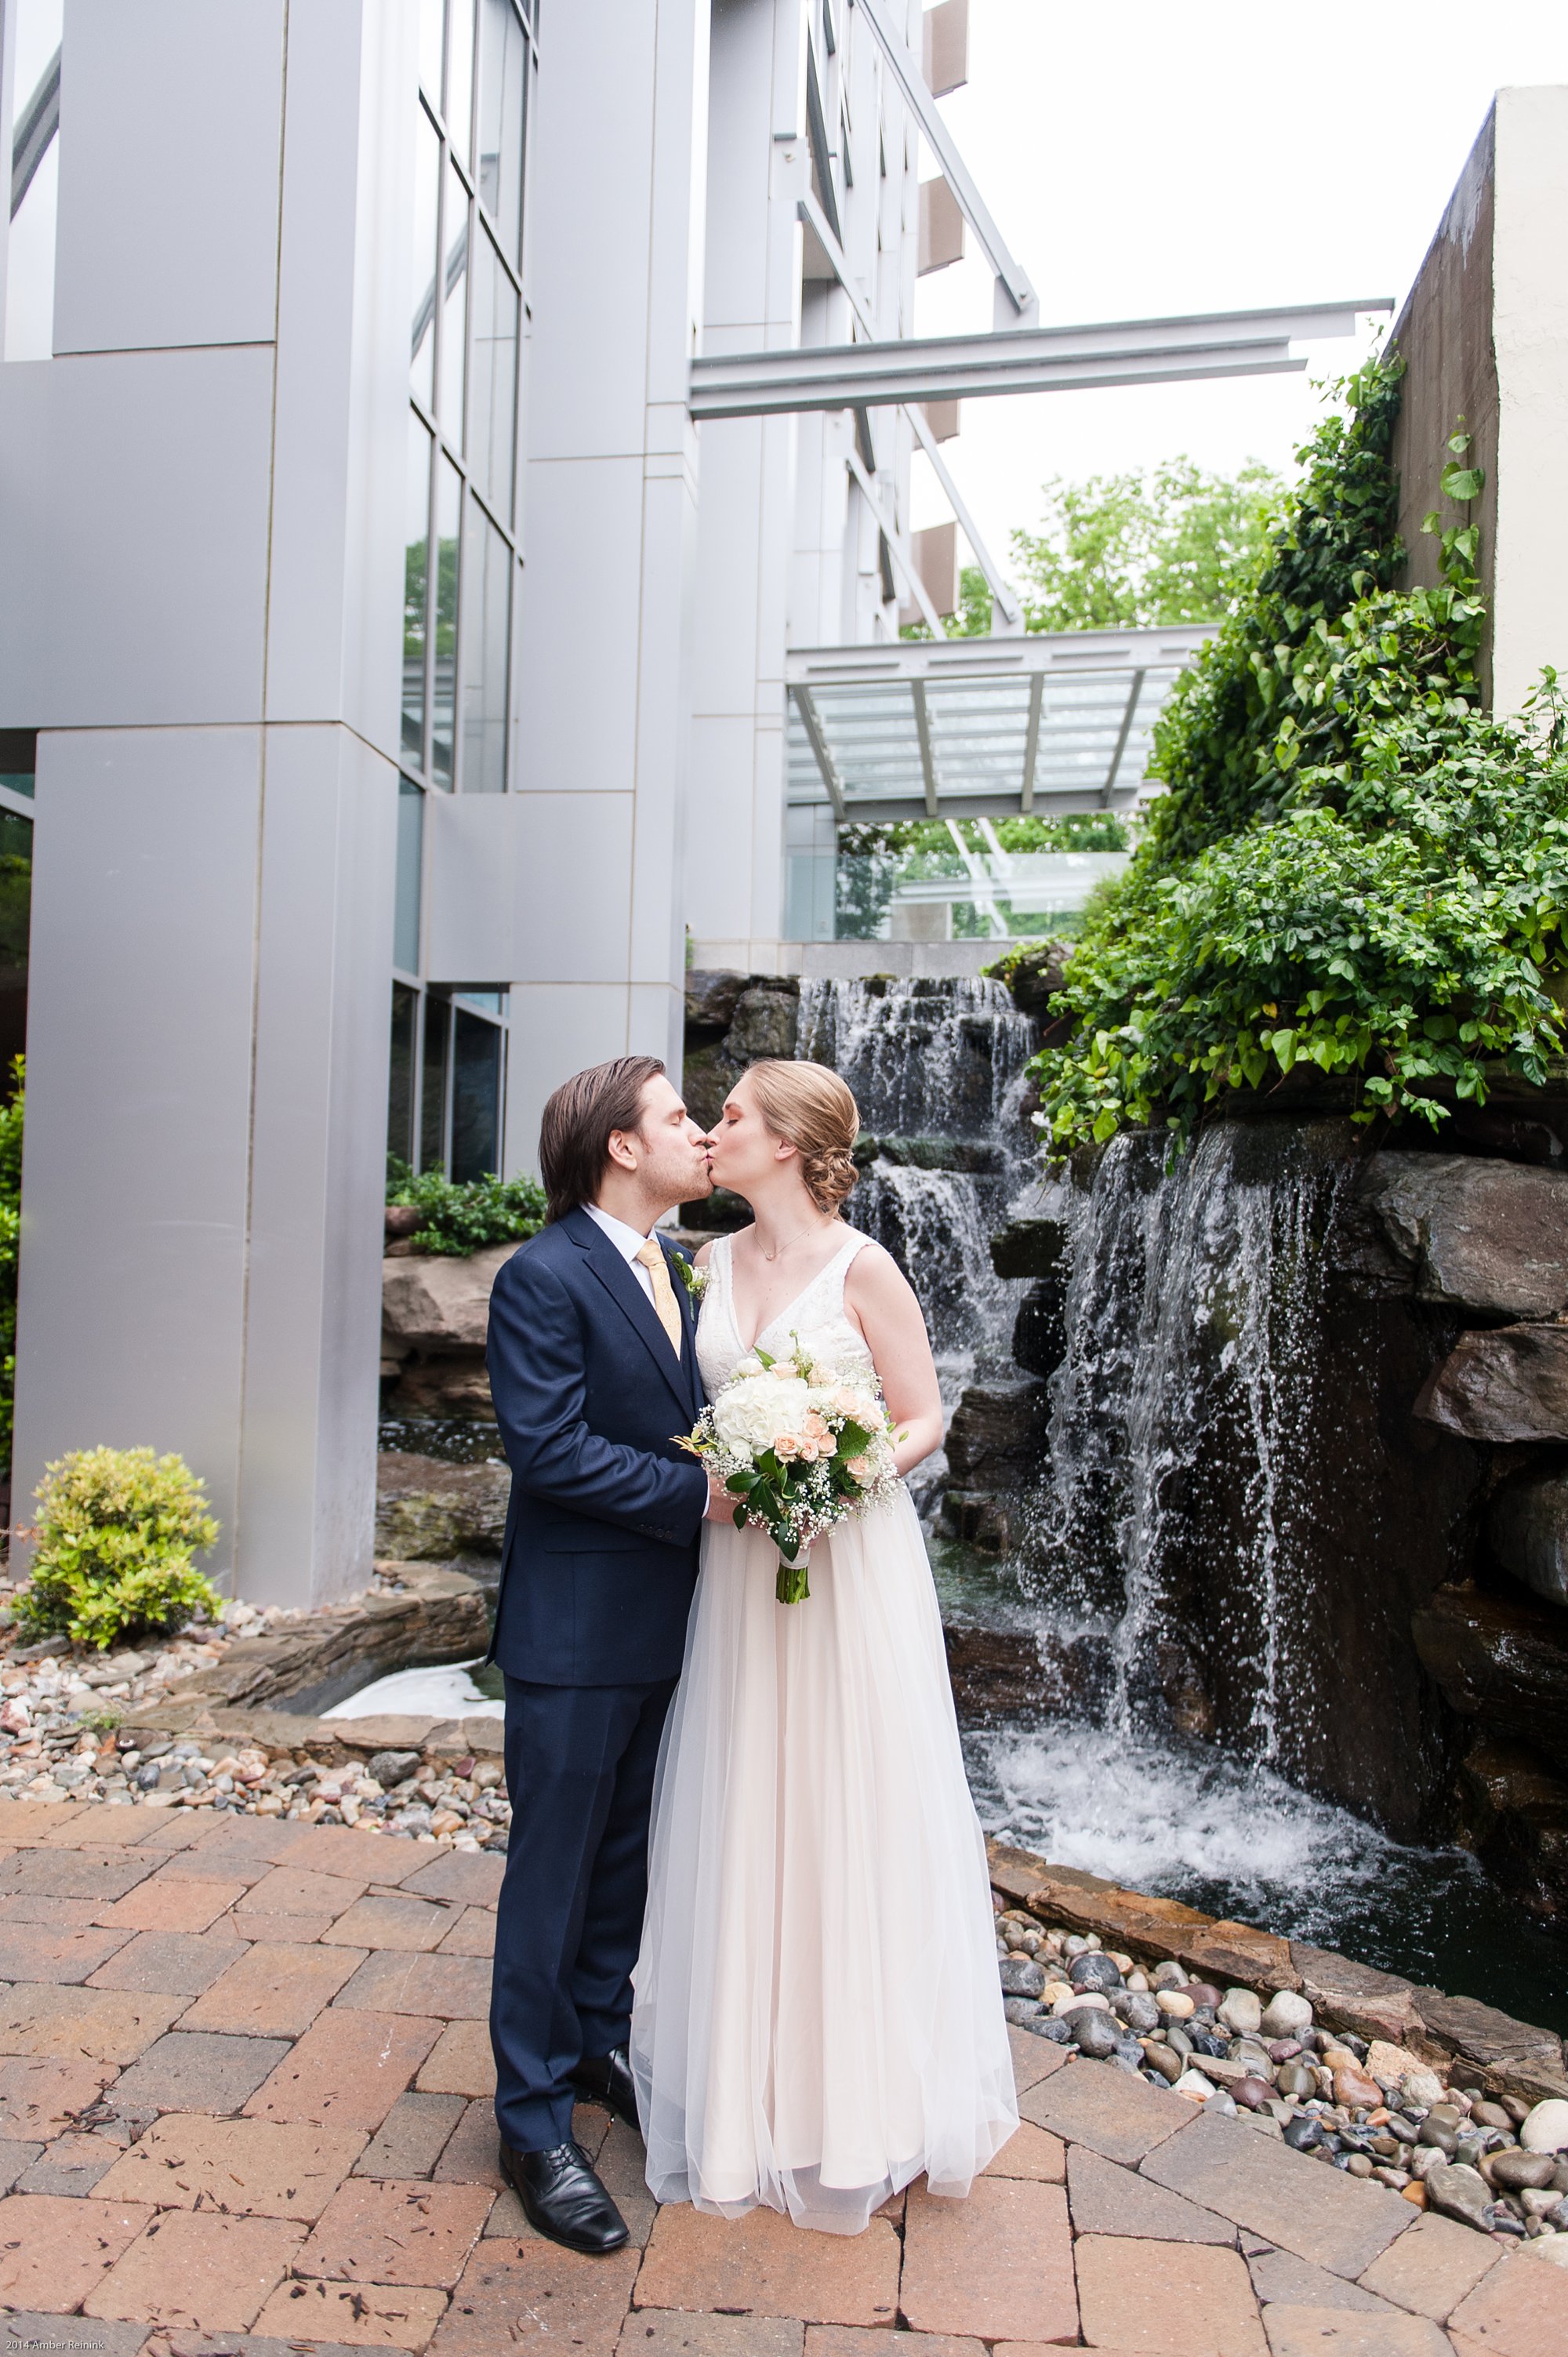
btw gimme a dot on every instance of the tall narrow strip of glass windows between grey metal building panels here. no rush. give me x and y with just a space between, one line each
461 539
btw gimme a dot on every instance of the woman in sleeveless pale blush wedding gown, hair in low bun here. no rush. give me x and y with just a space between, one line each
817 2014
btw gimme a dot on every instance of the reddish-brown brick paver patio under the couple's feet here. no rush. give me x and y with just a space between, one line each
244 2108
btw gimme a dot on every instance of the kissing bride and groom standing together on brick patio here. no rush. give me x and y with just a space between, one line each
746 1901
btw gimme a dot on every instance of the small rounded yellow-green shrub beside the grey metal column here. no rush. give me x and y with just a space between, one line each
117 1533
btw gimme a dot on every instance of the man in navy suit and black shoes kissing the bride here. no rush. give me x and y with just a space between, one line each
593 1373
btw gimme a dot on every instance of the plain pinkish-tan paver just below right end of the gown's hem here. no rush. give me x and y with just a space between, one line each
994 2269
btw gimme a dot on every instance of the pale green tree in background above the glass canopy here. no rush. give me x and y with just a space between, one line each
1142 550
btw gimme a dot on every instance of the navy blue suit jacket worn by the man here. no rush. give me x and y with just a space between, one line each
602 1531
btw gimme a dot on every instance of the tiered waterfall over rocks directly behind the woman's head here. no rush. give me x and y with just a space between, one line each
937 1071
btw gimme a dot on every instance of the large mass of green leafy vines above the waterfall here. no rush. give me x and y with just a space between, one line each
1352 866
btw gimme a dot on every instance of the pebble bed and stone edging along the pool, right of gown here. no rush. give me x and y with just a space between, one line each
1447 2101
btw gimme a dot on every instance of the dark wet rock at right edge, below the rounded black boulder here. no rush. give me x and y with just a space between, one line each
1501 1661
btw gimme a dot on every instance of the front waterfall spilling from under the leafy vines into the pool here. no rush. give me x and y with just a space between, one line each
1190 1425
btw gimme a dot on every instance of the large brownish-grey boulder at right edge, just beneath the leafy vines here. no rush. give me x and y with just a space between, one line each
1475 1234
